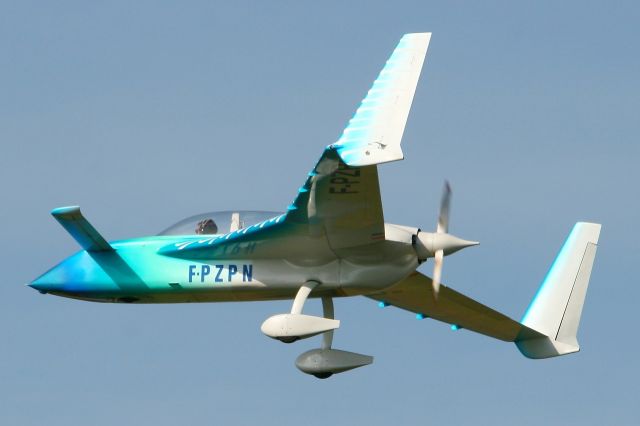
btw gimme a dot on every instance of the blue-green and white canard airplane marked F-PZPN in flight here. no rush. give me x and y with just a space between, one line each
332 241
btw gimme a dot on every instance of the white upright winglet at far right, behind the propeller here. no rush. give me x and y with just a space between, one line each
556 309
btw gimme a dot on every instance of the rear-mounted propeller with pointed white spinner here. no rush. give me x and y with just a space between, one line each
440 243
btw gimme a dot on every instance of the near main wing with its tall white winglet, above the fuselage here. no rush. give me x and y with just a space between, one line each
340 199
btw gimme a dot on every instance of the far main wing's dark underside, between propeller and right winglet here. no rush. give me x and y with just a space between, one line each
415 294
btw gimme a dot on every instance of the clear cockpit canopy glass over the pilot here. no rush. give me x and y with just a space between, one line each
213 223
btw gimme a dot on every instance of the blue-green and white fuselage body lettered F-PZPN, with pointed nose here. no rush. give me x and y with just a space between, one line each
253 273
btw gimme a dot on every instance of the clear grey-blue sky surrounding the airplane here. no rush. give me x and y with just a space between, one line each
146 112
